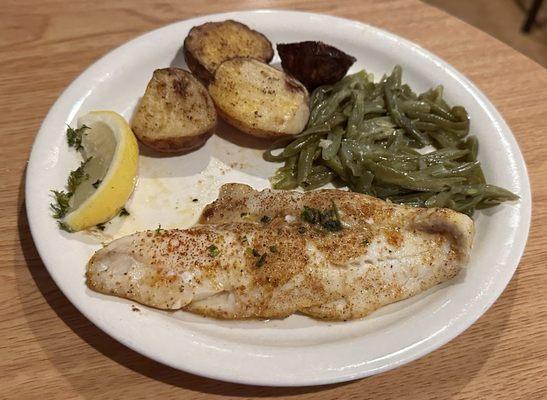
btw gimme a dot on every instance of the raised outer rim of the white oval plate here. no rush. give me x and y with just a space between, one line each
429 345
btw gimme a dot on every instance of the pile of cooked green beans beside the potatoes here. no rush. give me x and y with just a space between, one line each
384 140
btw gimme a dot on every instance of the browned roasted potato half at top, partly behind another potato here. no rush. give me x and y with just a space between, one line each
212 43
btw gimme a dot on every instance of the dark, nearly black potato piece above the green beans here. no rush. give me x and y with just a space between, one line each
314 63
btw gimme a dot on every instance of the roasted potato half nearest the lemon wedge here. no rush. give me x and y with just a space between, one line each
176 113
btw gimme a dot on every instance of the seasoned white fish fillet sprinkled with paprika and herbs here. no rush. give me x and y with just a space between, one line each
254 256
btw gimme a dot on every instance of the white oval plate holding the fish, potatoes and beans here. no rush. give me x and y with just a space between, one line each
296 350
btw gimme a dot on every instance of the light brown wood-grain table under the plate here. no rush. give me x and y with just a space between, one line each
49 350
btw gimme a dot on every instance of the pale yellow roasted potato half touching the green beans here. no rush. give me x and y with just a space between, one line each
258 99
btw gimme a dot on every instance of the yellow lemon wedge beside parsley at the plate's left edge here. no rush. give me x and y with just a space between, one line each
111 170
